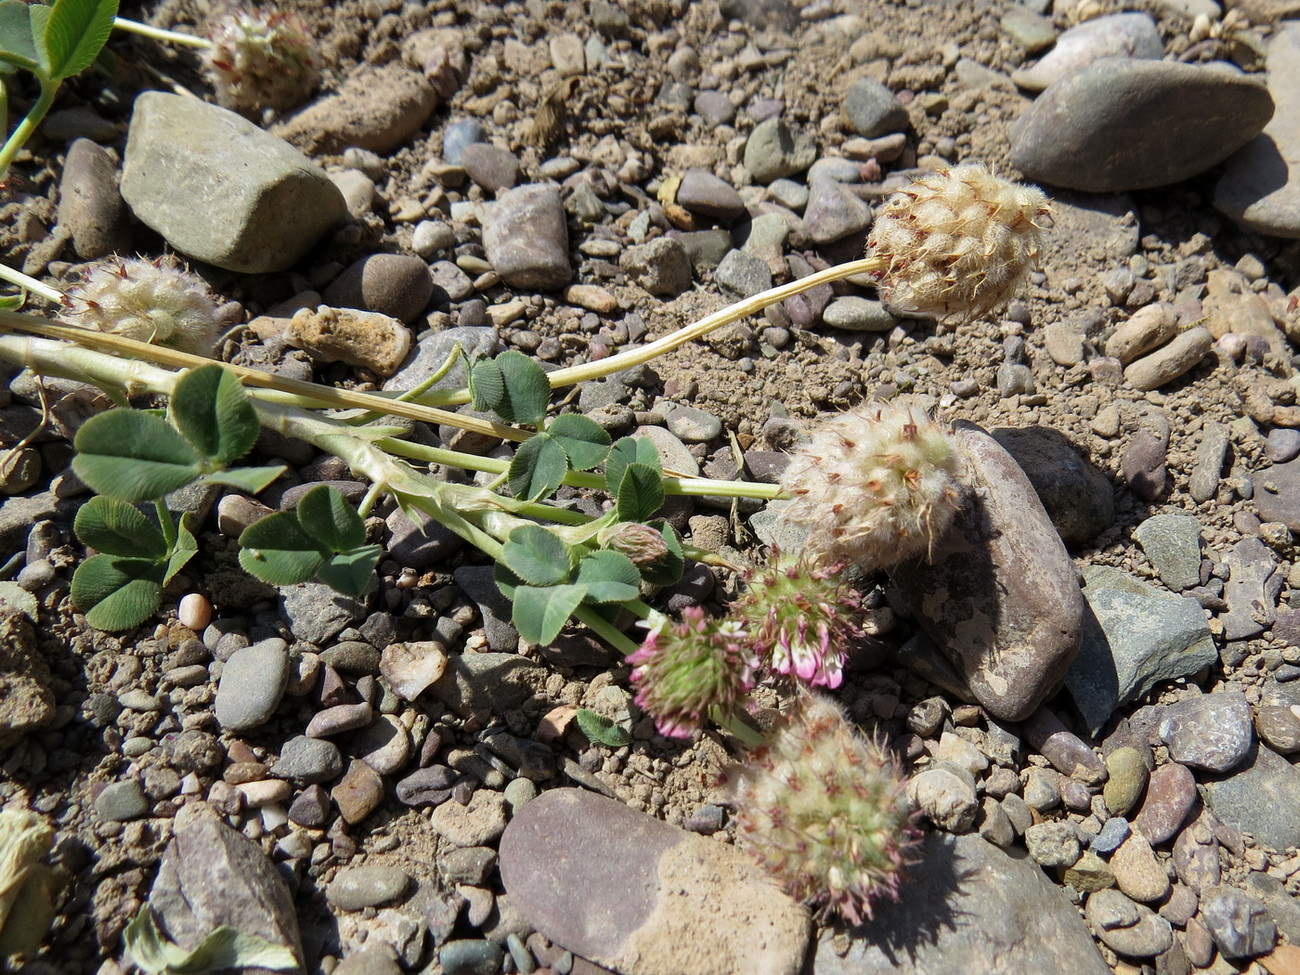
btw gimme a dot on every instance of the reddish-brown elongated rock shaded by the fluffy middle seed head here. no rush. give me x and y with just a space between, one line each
999 593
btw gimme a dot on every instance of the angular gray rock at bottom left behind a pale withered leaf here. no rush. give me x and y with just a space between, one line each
210 877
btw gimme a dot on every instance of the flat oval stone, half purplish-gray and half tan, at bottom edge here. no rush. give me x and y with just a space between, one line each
677 904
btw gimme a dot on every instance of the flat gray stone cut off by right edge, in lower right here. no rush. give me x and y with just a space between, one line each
1260 799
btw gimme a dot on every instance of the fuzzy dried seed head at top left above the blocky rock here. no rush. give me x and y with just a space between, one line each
262 59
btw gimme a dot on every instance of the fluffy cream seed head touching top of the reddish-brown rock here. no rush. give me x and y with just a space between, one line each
876 486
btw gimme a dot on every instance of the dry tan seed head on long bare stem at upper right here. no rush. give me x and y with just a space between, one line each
959 244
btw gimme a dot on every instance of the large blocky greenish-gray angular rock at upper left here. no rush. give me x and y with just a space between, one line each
222 190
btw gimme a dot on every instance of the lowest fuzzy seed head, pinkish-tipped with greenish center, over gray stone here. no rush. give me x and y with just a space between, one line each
825 812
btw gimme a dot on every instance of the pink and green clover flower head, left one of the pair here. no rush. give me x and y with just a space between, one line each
686 670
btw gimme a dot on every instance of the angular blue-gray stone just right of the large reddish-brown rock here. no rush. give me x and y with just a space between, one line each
1134 638
